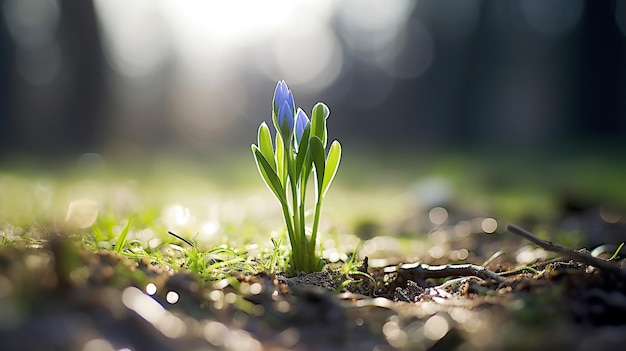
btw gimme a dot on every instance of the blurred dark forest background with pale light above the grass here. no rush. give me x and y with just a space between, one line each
132 78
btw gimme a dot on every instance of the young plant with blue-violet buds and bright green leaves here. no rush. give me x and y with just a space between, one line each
298 151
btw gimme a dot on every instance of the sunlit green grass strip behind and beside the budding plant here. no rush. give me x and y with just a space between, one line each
235 225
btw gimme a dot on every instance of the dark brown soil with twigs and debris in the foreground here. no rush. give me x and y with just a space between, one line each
57 296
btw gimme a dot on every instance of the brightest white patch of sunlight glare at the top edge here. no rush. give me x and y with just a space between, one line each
209 35
